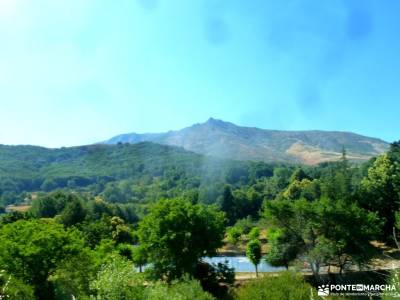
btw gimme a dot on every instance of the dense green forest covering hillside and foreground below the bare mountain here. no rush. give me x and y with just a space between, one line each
135 221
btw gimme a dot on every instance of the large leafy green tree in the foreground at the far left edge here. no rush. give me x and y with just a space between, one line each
32 250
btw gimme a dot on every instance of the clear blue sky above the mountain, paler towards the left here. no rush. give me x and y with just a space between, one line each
80 71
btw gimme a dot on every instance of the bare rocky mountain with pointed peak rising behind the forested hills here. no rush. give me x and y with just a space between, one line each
227 140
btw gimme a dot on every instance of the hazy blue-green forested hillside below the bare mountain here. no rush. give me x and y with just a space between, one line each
31 168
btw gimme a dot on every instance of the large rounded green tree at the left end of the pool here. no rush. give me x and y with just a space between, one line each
177 234
